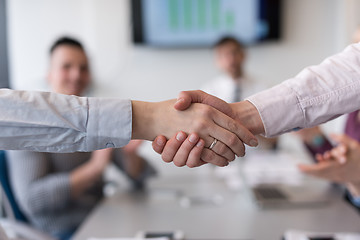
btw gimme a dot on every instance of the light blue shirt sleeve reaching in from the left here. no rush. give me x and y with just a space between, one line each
50 122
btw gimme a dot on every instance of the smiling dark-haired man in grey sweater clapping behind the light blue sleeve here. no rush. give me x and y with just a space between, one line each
57 191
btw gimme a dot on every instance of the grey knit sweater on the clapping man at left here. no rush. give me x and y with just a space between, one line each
41 185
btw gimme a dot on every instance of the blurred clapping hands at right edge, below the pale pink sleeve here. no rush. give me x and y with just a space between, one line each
341 164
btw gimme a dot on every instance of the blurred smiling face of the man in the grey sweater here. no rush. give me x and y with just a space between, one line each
69 70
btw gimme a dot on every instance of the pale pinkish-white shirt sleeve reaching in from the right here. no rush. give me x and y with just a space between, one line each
316 95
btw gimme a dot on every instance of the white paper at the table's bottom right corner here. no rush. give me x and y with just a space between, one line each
304 235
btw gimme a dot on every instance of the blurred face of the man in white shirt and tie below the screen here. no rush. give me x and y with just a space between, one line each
230 58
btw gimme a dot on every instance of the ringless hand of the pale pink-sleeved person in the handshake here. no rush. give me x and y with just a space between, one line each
188 154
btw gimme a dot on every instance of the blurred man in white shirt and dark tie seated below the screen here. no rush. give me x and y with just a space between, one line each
233 85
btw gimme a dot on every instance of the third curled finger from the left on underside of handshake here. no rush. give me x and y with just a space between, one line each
186 147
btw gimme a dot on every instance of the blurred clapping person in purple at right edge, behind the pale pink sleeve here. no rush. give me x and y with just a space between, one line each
320 147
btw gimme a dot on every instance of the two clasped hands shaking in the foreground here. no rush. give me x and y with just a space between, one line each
212 131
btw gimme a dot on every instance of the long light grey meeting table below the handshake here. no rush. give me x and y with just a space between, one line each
164 206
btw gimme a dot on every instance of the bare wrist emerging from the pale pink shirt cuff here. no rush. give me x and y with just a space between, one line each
247 114
